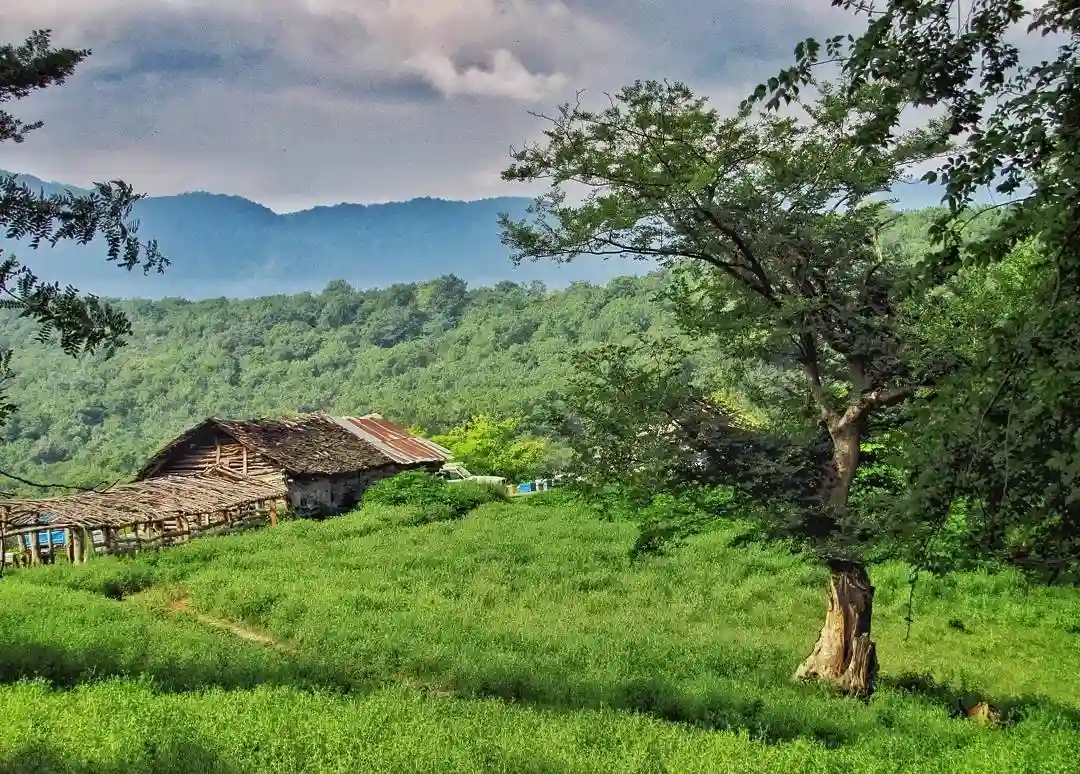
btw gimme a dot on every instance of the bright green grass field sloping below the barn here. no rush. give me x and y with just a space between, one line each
520 640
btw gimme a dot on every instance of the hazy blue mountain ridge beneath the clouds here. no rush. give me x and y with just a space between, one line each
228 246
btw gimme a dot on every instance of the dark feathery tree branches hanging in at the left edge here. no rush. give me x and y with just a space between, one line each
83 322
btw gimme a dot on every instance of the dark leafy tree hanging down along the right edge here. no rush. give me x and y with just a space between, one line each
1007 77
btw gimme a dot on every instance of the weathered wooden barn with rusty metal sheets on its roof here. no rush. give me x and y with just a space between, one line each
326 463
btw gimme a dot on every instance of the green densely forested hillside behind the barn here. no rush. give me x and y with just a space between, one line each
430 355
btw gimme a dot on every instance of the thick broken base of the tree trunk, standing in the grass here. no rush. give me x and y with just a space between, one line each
845 654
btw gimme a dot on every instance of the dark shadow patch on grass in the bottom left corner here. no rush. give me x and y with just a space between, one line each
178 757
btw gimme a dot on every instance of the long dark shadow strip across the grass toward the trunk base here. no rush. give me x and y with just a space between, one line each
717 711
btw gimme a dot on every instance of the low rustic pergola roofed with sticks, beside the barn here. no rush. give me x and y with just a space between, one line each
185 505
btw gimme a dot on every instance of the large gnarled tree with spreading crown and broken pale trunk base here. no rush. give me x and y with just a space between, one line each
771 228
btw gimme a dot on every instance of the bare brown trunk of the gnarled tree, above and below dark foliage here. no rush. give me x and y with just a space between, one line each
845 654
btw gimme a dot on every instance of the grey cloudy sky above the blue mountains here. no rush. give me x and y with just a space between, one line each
296 103
